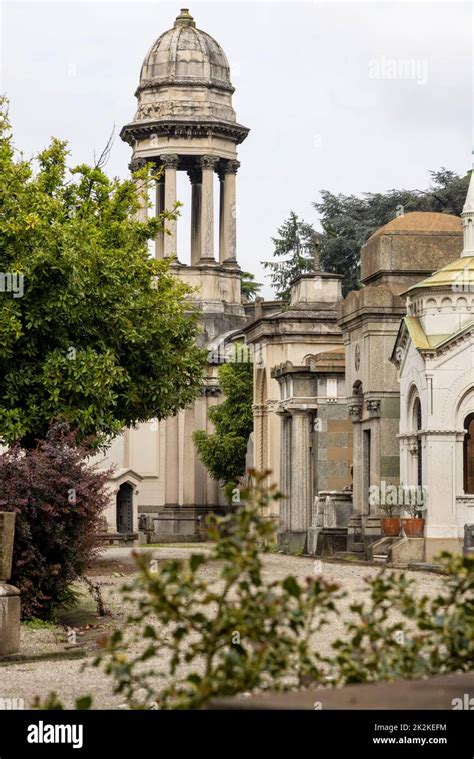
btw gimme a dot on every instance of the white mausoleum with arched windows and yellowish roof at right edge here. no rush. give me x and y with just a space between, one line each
434 354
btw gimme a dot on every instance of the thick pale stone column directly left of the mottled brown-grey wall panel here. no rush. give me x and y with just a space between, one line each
300 508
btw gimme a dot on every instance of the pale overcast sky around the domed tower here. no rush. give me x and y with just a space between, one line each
350 97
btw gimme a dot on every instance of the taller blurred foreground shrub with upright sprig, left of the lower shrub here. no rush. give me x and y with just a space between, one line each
238 635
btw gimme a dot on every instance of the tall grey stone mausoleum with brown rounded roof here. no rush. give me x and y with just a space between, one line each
397 256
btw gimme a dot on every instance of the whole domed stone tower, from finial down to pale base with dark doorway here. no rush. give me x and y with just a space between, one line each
184 122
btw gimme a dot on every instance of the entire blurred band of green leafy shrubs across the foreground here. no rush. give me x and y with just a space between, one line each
198 640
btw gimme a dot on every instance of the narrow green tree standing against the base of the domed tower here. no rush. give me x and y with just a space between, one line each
223 452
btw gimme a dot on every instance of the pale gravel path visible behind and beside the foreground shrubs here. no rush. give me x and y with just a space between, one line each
74 678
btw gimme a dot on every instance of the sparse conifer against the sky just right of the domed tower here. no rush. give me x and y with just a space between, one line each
295 246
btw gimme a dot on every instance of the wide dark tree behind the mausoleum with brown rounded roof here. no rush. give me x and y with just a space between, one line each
349 220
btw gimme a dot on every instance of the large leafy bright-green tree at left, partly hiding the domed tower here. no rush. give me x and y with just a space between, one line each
101 337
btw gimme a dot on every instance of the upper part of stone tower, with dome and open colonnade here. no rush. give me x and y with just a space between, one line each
185 122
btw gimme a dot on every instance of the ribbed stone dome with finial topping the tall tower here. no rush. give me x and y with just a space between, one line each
186 55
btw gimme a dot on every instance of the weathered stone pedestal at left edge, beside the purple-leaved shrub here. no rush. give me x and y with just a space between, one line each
9 595
